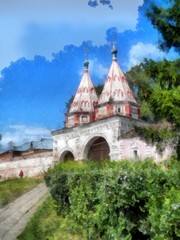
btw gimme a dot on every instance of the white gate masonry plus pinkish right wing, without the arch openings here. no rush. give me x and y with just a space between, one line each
78 140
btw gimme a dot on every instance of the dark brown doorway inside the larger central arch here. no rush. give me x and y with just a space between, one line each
99 150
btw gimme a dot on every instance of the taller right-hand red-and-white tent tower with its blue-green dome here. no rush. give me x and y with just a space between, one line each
116 97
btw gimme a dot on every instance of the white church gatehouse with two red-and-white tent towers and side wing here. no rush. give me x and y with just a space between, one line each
98 128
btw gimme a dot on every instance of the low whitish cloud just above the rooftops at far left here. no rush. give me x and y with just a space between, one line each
19 134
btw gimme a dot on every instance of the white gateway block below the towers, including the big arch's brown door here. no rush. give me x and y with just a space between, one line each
95 141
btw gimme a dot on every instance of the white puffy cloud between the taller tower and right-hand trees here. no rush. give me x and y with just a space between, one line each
140 51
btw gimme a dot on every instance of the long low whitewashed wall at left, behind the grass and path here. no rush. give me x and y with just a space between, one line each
31 167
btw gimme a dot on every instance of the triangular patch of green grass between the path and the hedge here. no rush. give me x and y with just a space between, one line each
46 225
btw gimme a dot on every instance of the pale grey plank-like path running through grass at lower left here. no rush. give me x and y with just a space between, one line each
14 216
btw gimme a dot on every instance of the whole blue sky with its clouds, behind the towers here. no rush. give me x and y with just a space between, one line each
42 53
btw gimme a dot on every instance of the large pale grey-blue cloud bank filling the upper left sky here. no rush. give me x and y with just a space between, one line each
63 22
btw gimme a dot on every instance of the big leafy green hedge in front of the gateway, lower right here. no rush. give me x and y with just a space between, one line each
119 200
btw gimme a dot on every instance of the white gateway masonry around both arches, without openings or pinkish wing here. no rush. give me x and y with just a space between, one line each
79 139
